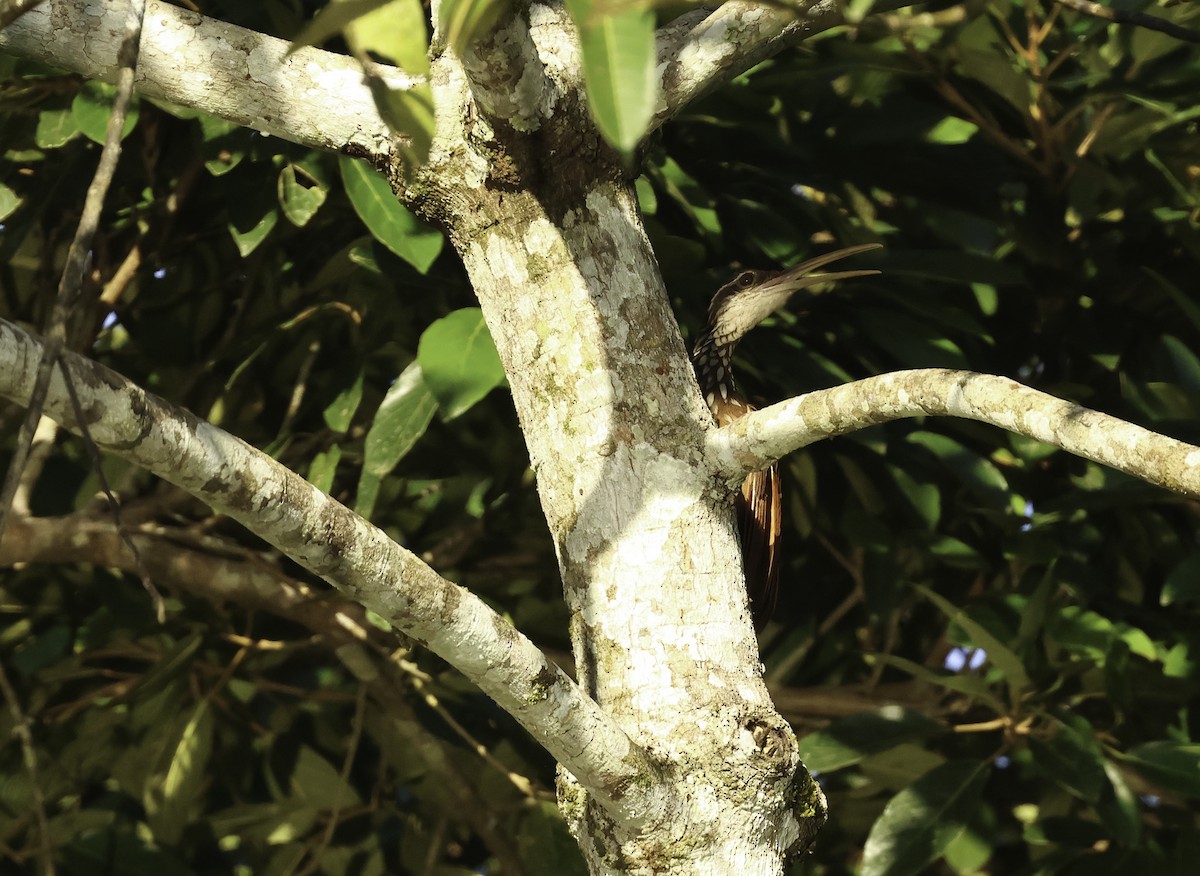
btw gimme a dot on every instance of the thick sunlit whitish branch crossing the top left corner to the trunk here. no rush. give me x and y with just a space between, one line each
313 98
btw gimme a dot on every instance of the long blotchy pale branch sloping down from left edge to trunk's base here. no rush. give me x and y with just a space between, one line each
332 542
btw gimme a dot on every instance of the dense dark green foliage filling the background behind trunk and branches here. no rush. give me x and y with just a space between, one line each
988 646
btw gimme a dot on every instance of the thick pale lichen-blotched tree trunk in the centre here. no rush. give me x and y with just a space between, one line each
550 233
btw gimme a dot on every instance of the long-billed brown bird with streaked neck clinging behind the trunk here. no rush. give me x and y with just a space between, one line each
737 308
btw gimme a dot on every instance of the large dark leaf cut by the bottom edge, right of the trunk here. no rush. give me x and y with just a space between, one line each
921 821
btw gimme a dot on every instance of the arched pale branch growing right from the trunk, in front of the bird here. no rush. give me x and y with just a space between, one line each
765 436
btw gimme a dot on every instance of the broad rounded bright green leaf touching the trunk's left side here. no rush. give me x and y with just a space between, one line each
460 362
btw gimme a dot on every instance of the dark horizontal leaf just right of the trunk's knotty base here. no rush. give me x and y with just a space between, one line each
848 741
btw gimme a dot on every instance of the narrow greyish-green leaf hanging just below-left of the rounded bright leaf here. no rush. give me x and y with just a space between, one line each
403 418
